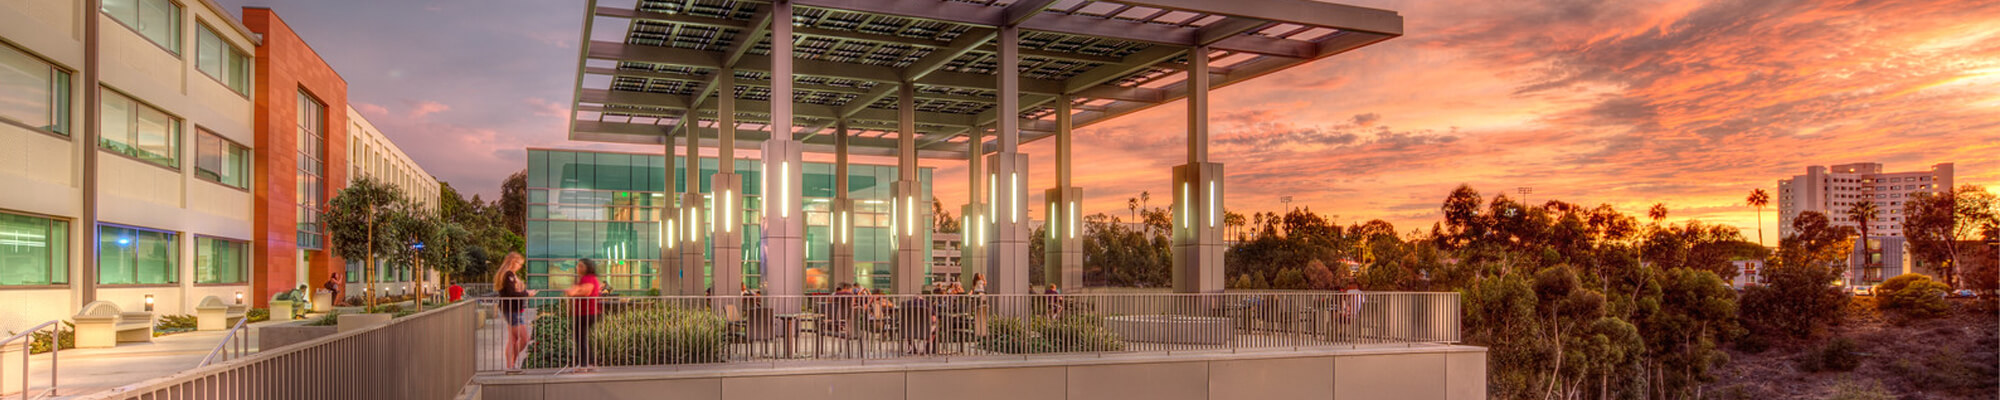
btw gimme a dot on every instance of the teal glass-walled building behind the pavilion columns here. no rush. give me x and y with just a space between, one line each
611 207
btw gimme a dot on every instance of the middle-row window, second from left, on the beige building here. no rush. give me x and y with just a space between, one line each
141 131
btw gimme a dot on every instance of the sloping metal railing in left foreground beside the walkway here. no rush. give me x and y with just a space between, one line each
427 355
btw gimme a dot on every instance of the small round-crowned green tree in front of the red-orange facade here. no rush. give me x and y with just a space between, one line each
359 223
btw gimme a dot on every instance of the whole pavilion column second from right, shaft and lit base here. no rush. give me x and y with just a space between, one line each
1063 249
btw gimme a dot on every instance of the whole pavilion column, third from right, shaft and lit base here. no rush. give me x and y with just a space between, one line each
1007 271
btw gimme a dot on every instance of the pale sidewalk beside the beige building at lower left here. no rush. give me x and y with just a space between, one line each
89 371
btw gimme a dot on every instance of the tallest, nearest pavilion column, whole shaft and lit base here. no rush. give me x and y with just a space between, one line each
785 223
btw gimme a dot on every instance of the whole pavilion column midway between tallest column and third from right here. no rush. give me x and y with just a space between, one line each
913 247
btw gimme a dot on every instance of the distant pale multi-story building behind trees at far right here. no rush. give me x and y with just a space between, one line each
1833 191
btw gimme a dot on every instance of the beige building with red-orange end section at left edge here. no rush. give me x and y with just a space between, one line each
151 157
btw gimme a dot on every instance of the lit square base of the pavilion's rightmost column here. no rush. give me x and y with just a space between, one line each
1199 229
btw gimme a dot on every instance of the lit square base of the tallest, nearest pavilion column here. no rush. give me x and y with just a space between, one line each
785 221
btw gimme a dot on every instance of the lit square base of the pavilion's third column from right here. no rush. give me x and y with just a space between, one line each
1007 259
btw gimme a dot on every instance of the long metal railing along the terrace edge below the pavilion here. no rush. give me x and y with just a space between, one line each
585 333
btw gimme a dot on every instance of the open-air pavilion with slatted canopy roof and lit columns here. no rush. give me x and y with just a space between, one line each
947 81
